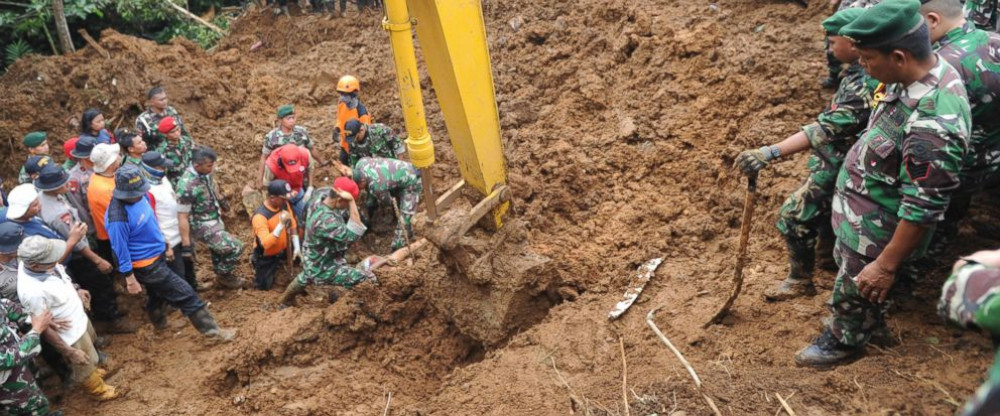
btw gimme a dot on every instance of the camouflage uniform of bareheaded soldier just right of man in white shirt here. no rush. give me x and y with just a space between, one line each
198 195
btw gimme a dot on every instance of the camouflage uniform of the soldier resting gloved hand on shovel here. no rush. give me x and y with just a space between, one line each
807 209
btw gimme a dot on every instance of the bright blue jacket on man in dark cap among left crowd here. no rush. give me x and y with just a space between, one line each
134 232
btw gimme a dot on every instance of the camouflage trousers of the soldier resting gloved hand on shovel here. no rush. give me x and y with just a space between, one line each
807 209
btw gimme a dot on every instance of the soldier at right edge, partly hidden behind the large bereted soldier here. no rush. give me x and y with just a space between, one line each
975 54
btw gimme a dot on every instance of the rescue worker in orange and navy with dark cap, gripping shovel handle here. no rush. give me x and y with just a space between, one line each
272 223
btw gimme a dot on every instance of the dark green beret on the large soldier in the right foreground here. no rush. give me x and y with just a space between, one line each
883 23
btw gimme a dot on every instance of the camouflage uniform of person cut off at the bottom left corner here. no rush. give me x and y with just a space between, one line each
19 393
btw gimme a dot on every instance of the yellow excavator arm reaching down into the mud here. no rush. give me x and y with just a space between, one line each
453 40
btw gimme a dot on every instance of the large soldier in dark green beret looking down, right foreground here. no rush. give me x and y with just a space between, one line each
897 179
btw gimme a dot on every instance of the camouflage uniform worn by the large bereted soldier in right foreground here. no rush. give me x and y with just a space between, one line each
904 167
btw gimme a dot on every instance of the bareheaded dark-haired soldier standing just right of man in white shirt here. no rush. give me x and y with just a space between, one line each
198 206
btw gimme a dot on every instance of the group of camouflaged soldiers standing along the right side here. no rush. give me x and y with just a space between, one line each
910 136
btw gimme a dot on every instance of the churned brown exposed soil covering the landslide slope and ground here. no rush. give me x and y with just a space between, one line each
620 121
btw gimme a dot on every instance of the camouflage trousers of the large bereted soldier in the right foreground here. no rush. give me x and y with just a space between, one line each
854 318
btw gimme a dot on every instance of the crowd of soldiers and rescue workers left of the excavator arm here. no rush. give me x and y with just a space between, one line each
130 206
